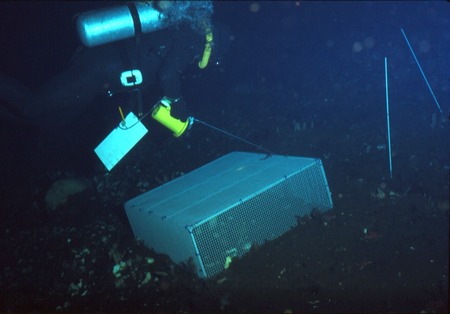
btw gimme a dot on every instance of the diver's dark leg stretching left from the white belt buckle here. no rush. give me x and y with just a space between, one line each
64 97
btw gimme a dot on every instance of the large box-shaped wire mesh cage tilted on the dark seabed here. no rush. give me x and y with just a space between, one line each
218 211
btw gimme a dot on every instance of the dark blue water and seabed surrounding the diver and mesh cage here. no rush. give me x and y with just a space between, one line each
318 64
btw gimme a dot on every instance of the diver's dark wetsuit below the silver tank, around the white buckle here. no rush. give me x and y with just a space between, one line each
163 56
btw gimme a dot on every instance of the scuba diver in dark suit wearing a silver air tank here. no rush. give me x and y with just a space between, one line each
166 38
